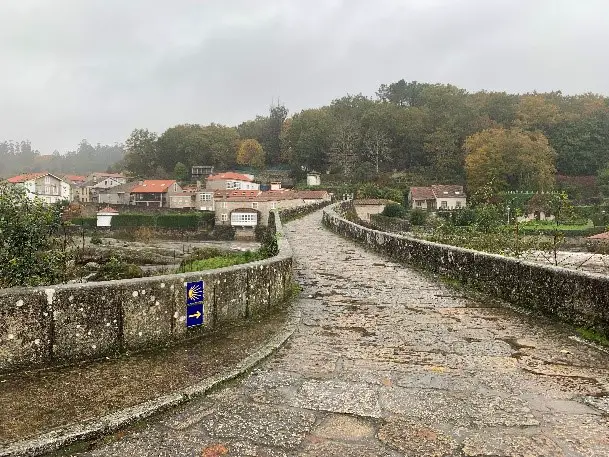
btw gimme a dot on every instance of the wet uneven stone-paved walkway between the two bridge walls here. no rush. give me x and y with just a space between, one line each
390 362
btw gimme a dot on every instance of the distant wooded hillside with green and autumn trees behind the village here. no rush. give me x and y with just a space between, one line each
438 131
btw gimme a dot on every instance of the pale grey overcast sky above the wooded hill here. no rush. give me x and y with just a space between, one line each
97 69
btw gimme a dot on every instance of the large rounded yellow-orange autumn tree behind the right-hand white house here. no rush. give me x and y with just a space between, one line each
511 159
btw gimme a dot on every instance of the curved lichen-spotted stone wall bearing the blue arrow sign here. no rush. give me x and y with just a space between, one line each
54 325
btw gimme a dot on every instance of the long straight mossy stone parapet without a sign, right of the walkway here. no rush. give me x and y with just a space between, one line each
577 297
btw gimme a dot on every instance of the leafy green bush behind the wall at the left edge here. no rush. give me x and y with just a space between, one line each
30 254
